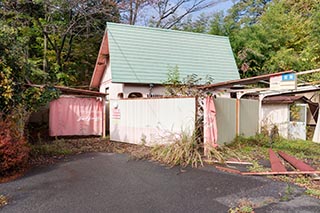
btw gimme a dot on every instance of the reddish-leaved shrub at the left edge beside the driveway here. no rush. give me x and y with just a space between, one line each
14 151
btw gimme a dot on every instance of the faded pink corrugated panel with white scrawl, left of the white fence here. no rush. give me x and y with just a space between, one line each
75 116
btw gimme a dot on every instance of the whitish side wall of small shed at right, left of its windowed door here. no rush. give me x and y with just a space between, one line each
276 114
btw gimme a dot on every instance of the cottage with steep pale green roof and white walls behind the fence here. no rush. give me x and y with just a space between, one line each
134 61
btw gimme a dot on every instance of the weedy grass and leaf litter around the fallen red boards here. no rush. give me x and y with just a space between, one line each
257 147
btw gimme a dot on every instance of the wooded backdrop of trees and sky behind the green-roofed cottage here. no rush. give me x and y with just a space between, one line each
56 42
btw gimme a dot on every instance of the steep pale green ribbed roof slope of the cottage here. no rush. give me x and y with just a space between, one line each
144 54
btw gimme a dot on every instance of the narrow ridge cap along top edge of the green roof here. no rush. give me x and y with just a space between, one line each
166 30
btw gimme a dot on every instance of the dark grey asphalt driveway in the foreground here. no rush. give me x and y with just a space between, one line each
103 182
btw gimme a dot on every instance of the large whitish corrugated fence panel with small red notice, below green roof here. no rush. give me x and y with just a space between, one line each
150 120
